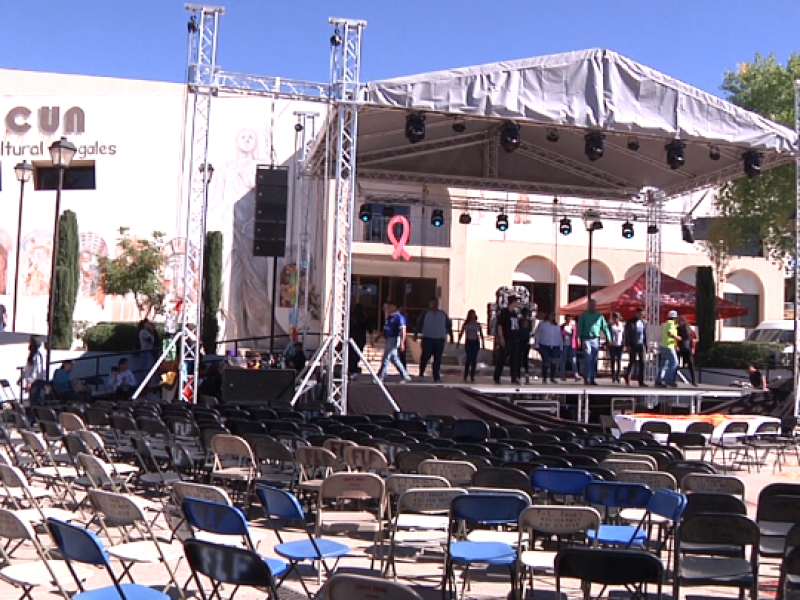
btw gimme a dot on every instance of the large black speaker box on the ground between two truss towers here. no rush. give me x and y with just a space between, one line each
252 386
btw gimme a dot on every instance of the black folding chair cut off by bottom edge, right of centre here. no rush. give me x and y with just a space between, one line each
610 567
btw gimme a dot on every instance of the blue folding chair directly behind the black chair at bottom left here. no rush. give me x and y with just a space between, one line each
224 520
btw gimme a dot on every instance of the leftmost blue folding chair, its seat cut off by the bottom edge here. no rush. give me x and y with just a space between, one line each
80 545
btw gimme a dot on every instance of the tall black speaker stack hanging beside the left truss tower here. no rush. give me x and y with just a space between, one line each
272 200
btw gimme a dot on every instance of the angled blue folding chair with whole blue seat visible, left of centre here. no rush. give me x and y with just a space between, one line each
282 506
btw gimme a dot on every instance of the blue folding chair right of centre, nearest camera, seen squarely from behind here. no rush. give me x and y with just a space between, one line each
483 509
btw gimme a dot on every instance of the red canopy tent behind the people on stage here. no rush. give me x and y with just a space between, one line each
627 295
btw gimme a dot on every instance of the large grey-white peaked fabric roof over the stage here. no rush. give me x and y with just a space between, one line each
570 95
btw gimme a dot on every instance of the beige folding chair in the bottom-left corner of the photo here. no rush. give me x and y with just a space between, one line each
28 575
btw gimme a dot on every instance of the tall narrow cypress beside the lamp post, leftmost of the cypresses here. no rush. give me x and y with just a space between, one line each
66 279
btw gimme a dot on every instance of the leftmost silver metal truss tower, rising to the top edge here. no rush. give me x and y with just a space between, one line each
201 79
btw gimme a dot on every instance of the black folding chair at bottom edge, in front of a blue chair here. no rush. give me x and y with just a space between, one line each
223 564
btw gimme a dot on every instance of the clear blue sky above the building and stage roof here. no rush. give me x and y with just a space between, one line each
693 40
